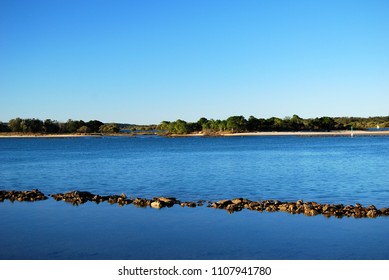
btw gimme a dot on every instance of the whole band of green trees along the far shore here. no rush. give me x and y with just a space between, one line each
233 124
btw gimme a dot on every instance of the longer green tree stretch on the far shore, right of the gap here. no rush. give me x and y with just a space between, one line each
235 124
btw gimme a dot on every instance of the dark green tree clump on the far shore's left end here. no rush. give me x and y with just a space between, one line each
49 126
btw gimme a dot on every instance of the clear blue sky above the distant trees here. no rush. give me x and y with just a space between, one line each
146 61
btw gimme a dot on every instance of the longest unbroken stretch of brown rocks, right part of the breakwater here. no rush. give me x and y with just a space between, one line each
301 207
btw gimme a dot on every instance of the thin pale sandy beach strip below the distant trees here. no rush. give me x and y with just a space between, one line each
270 133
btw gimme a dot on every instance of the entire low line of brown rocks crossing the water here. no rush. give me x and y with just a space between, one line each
230 205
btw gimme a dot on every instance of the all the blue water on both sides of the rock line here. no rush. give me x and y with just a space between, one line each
323 169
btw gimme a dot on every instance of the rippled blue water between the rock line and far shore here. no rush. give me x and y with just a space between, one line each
322 169
